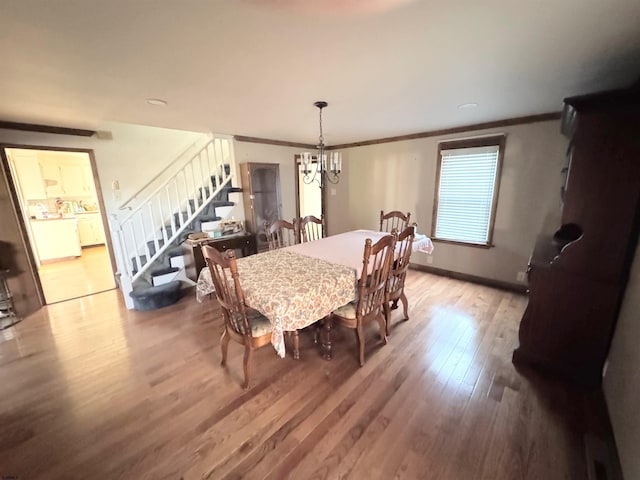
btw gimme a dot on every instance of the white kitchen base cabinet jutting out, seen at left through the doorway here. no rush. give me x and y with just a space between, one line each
56 238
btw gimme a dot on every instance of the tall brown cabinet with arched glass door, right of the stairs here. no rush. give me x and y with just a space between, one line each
261 198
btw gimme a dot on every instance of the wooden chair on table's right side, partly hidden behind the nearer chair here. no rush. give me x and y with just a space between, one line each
398 274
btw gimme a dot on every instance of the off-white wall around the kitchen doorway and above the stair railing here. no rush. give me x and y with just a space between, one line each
132 156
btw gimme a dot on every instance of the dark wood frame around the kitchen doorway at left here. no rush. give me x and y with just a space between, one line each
20 215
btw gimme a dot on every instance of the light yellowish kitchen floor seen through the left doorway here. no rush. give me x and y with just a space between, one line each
88 274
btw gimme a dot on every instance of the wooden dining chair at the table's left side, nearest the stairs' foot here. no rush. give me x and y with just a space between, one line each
242 324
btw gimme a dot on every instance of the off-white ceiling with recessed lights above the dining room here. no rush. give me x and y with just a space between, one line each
254 68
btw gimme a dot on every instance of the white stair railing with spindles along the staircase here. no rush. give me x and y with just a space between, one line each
169 209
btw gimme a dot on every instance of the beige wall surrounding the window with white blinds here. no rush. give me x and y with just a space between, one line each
401 176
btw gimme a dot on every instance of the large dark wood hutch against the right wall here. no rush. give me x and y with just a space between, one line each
577 277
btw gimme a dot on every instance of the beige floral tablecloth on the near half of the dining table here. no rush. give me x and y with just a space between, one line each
290 289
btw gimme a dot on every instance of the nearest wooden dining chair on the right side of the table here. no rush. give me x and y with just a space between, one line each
369 306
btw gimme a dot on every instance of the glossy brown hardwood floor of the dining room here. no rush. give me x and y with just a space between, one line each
93 391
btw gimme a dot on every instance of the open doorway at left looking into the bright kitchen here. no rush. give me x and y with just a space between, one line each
60 207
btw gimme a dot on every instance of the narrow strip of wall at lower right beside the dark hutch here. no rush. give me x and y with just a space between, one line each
622 380
